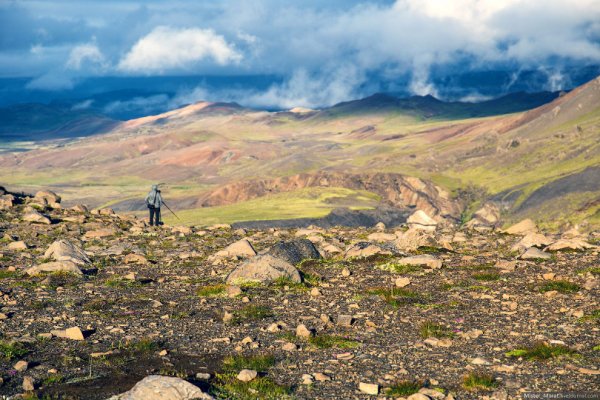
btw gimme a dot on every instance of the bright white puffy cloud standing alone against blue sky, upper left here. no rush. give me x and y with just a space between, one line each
167 48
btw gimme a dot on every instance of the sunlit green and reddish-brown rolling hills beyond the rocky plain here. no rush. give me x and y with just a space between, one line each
542 163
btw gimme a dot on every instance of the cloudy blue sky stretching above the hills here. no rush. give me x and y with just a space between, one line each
324 51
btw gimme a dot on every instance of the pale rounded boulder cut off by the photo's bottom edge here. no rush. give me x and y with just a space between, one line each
156 387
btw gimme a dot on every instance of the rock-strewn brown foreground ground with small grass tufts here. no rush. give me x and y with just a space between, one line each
447 312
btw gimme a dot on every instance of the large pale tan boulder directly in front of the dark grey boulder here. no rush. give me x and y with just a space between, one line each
263 268
